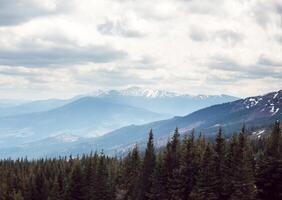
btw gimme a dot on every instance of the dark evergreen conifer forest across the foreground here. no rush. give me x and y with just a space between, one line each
194 168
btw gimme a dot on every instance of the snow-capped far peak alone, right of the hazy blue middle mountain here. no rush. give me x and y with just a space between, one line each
160 101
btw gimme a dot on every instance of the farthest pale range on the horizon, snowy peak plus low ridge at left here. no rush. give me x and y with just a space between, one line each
154 100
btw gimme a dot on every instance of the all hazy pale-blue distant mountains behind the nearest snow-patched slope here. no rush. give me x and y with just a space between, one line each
94 114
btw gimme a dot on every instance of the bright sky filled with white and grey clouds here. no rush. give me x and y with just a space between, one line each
62 48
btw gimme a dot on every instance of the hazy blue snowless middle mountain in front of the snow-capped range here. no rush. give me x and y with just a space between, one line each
86 116
